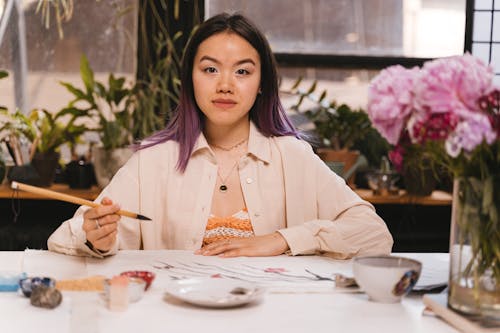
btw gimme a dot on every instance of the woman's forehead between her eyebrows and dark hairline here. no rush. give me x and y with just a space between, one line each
227 46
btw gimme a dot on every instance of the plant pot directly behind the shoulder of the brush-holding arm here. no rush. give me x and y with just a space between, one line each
107 162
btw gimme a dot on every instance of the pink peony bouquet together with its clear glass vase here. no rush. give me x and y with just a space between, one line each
449 112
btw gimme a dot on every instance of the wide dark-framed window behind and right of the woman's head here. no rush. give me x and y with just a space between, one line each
343 43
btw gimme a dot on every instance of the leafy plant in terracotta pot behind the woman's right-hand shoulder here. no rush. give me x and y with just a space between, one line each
337 129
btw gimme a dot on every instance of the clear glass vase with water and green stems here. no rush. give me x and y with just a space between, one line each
474 286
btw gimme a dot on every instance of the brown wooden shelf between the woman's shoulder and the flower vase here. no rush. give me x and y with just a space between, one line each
437 198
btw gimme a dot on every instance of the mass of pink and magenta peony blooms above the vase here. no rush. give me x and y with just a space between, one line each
448 106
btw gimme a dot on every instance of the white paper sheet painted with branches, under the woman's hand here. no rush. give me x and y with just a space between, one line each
280 274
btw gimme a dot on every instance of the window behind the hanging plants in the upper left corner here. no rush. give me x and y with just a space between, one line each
108 40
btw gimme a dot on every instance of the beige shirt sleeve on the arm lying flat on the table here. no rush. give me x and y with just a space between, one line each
335 220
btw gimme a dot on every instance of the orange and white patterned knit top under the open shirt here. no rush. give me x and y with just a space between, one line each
235 226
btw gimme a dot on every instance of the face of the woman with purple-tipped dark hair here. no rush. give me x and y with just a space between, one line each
226 79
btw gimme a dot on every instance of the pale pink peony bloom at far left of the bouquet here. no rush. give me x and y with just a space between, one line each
390 100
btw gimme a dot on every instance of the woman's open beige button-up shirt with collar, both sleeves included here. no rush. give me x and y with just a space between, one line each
286 187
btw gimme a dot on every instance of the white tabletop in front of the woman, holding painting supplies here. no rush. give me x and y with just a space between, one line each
287 307
